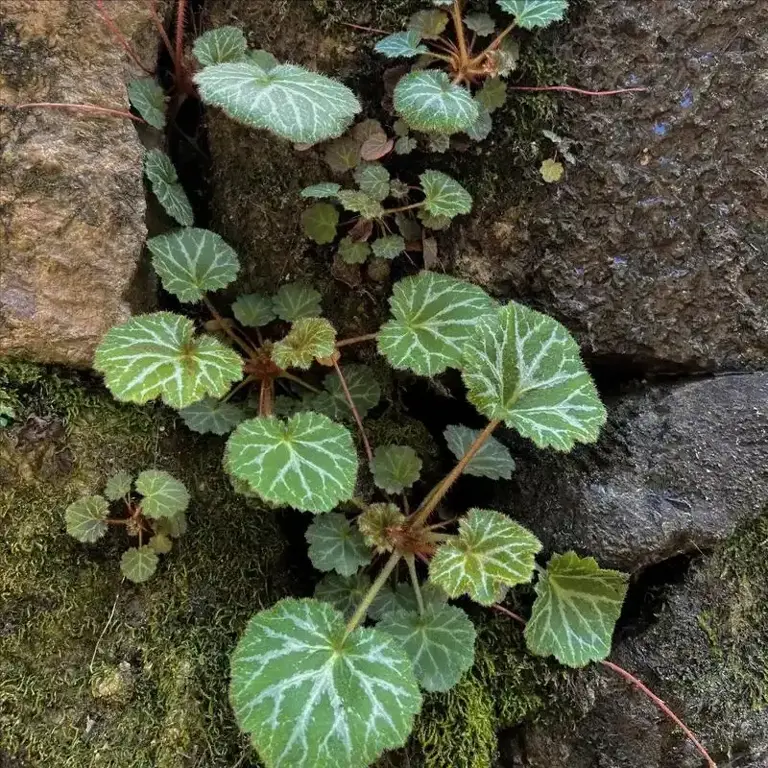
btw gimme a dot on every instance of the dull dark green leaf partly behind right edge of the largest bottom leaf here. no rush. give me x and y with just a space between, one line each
440 643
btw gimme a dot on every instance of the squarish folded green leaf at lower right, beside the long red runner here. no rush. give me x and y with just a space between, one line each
576 609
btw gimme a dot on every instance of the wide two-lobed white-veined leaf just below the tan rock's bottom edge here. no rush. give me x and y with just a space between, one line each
159 355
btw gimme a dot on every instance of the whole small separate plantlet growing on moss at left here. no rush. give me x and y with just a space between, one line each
154 513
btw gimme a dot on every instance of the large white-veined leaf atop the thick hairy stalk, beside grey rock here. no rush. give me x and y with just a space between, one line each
524 367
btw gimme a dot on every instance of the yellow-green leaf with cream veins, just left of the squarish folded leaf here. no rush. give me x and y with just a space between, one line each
490 549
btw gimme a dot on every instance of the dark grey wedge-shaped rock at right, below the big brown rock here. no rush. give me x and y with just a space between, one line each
677 468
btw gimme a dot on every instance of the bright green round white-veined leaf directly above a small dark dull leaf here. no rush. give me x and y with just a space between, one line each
308 462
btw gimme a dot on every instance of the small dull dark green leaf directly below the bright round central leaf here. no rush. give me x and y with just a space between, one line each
335 545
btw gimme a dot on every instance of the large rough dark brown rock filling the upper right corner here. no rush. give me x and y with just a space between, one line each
654 249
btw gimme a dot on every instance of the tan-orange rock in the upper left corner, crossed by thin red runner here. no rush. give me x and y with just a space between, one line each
71 198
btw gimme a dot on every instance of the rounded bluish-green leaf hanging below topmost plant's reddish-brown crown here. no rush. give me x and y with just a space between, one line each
429 102
